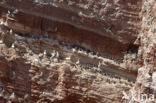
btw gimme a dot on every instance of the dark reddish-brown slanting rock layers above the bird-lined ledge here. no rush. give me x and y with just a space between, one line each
93 25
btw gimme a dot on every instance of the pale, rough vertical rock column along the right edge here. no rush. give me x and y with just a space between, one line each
146 80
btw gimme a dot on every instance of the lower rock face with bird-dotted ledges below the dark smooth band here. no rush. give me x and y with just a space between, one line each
41 70
